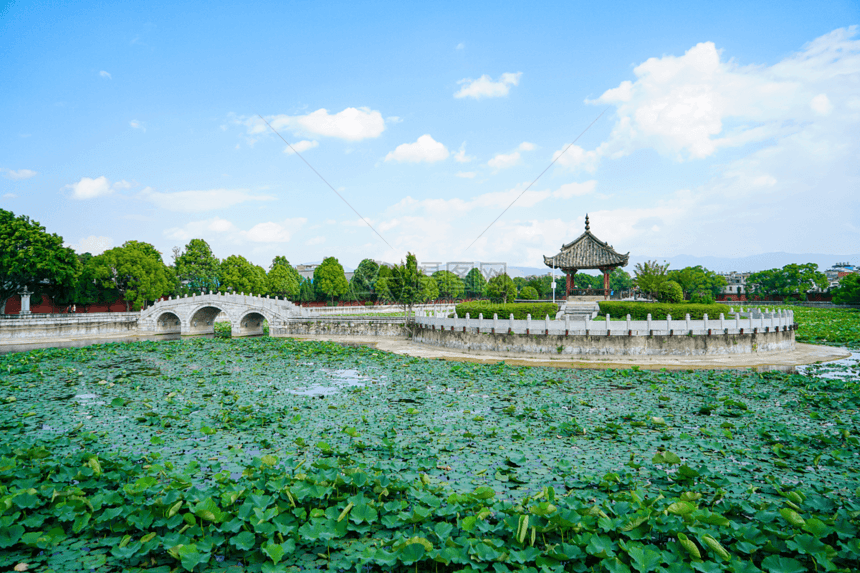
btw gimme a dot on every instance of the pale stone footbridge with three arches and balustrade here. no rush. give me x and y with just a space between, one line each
194 315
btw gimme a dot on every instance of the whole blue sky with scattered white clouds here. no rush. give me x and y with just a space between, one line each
730 128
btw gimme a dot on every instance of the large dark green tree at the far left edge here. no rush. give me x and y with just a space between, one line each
32 258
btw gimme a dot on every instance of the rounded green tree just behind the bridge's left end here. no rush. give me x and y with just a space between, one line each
135 272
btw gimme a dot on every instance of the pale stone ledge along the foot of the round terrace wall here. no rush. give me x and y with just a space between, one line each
803 354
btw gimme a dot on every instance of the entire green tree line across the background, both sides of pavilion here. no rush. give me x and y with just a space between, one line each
33 259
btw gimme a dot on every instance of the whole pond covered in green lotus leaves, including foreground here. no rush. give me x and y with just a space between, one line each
279 455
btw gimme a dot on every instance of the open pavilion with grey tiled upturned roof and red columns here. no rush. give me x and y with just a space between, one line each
587 252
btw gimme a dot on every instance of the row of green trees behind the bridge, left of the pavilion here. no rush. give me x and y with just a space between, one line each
33 259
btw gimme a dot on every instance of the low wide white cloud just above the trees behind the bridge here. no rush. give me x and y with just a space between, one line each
223 231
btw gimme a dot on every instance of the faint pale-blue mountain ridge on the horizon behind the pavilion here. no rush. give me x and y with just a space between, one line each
751 263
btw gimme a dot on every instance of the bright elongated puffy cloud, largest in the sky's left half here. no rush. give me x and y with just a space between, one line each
351 124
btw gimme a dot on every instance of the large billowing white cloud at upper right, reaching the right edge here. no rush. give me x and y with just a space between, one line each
689 107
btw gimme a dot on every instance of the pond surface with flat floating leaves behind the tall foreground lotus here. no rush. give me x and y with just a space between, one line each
220 402
